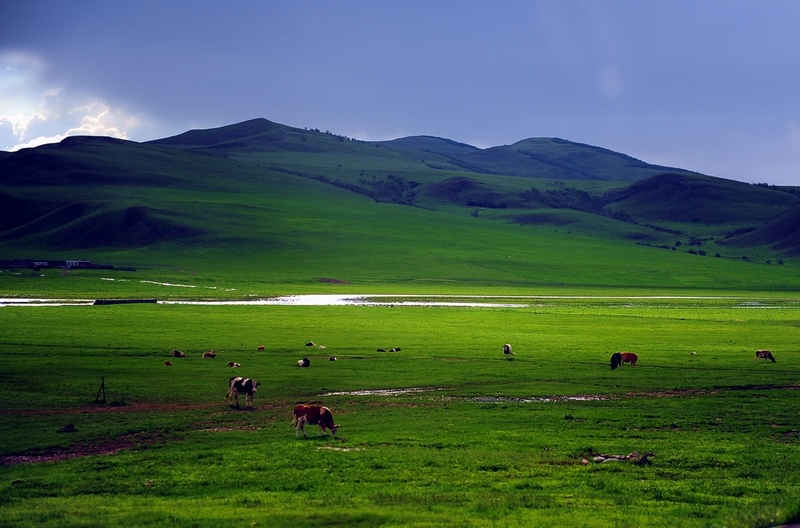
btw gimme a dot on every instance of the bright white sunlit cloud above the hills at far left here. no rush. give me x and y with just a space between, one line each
30 120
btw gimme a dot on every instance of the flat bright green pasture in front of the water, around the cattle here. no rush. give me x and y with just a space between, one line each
489 442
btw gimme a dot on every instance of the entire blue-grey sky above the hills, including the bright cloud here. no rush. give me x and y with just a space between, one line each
709 86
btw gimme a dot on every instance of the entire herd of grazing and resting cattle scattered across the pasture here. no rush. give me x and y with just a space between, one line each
323 417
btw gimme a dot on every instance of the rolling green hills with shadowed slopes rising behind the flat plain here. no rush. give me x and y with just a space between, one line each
285 194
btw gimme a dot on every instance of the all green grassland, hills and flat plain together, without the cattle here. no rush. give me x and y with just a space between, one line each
446 432
